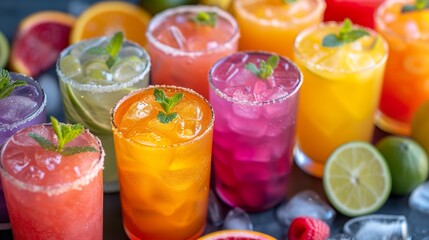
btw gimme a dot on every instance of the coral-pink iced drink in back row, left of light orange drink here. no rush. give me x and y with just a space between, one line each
182 52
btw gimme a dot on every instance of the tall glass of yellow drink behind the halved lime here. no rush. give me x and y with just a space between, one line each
339 95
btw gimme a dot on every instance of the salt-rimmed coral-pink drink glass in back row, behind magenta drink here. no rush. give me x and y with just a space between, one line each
188 67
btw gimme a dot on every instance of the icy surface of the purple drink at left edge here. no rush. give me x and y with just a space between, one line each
15 108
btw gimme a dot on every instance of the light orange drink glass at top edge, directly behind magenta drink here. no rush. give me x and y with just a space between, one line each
272 25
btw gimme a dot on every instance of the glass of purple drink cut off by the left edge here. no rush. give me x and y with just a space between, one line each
25 107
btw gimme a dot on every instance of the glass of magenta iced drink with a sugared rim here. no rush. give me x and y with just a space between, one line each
254 130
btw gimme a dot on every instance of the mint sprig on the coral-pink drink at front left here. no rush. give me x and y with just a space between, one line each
65 133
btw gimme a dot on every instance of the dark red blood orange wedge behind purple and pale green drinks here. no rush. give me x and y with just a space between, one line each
39 40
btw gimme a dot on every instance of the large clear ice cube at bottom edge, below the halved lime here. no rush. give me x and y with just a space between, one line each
377 227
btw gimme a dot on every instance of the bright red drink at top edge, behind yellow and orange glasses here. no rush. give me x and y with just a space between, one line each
359 11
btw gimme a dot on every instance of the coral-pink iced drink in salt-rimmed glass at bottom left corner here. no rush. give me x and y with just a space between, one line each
50 196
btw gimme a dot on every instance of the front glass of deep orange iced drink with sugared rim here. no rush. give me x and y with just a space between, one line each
164 168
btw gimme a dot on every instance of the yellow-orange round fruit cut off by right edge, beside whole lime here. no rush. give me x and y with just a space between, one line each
420 126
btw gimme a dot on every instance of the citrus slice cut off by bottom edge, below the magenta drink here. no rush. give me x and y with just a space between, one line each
236 235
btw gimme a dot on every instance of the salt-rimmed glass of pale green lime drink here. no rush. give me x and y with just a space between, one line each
90 103
